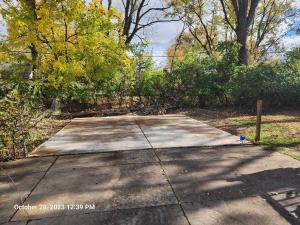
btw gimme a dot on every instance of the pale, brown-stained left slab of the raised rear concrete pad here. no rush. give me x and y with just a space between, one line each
94 135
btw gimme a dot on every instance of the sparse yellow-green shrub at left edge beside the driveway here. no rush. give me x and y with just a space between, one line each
18 116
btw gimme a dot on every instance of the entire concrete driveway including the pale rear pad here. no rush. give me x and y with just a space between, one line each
167 170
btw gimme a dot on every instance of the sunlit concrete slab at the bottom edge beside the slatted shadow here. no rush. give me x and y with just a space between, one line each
247 211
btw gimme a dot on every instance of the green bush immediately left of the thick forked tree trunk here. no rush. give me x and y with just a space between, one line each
200 80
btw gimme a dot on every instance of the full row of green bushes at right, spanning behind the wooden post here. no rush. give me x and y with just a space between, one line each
210 81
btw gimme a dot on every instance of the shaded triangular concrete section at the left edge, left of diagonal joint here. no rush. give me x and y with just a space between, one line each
15 192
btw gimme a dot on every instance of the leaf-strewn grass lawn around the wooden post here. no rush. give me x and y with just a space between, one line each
280 130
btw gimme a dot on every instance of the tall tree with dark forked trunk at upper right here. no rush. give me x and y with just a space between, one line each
259 19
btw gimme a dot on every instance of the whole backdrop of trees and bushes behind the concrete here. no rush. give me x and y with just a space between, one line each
75 56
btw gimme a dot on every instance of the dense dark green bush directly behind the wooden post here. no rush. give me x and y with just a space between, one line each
271 82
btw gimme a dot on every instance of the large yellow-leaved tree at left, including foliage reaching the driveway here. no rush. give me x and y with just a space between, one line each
48 47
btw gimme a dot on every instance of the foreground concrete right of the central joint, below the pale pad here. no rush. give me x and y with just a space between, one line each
221 182
